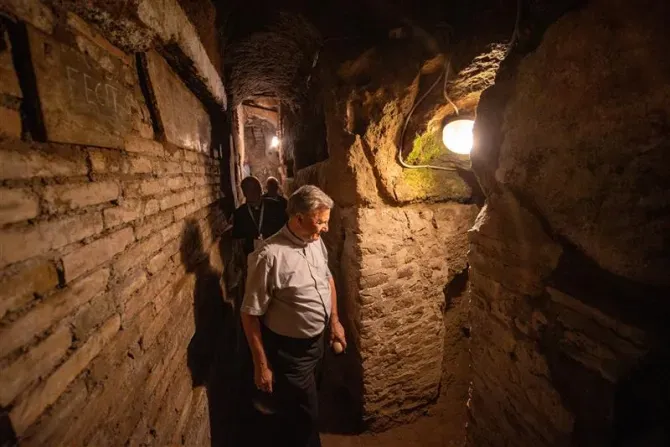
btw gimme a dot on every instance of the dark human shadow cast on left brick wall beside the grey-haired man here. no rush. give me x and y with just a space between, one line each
210 355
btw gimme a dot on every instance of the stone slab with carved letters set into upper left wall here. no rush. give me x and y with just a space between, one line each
84 99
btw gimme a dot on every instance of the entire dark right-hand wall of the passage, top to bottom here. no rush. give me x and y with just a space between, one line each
569 257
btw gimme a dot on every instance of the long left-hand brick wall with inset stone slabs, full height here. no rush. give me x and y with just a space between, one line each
109 193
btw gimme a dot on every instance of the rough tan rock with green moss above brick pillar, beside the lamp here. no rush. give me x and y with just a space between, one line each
369 120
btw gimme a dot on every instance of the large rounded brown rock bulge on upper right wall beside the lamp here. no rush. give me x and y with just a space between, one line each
607 157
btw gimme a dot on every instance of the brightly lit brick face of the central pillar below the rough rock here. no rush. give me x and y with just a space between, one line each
407 256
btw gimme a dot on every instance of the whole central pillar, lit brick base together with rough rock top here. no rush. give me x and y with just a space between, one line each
399 236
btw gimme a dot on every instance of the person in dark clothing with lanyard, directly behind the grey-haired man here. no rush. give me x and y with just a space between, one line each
259 217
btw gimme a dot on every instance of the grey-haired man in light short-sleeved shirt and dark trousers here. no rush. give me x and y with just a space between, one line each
289 303
